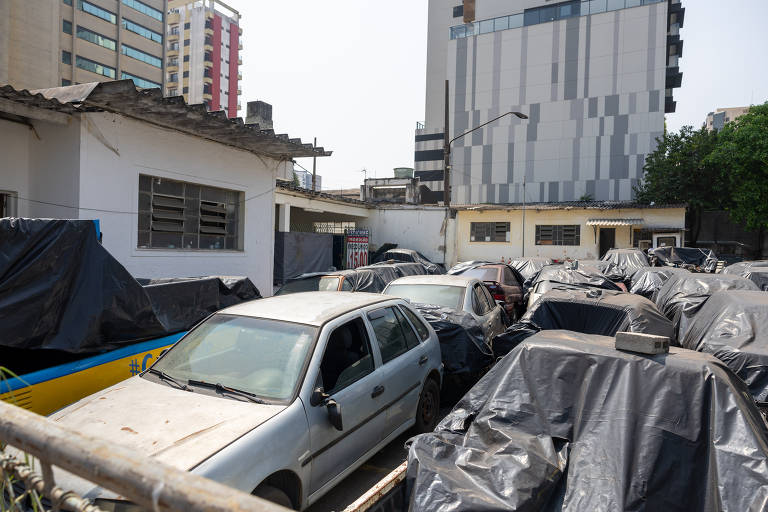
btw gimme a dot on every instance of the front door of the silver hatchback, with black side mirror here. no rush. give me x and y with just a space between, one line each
349 374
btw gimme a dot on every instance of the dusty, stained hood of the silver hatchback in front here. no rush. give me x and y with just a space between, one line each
180 428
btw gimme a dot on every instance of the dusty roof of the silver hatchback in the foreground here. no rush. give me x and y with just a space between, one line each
313 308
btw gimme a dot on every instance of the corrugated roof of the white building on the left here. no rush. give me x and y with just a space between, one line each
149 105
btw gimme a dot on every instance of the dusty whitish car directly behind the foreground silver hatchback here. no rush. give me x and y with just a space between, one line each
460 292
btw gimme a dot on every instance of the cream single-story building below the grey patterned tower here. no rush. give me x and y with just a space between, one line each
579 229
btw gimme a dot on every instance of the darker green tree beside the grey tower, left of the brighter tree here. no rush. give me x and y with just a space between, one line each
680 171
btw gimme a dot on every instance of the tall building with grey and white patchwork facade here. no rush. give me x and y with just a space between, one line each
594 78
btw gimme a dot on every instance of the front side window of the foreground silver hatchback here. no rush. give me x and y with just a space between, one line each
347 356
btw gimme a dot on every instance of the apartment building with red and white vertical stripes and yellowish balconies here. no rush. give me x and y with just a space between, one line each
203 54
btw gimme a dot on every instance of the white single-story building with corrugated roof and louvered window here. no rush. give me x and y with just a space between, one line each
178 191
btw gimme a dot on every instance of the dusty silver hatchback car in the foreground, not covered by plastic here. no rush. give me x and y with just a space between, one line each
282 397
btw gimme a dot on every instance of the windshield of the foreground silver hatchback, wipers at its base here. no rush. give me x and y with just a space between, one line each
256 355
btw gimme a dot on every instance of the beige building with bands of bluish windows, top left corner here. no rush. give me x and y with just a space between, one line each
50 43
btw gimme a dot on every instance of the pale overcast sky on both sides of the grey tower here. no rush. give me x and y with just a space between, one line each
352 73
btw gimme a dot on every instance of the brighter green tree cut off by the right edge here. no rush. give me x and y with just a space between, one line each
742 154
